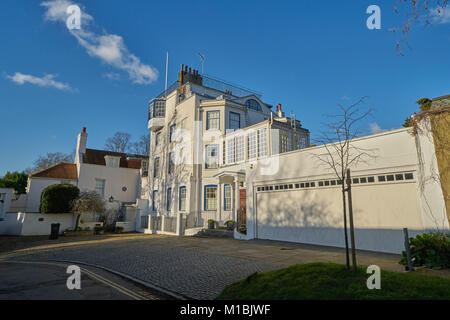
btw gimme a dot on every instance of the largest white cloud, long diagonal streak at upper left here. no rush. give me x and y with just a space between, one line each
109 48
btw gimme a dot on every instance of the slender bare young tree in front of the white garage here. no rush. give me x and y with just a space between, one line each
340 152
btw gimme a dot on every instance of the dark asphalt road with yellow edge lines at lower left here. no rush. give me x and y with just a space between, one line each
47 281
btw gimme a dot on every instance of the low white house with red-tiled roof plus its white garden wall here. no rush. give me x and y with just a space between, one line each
115 176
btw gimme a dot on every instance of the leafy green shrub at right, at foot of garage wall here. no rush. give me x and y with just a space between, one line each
429 249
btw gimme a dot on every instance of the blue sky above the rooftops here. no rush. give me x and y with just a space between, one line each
307 55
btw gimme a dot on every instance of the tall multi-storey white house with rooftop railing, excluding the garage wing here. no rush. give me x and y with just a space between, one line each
203 132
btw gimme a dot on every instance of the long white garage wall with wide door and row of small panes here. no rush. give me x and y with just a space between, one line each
314 215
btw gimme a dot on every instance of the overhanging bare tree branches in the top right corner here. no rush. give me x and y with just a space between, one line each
424 12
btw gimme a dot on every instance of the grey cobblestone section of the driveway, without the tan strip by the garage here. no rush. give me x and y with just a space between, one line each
191 273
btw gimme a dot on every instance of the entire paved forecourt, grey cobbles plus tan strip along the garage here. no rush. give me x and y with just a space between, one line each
191 267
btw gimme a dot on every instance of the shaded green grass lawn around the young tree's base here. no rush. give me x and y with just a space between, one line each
329 281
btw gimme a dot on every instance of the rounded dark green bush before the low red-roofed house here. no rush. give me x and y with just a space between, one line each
57 198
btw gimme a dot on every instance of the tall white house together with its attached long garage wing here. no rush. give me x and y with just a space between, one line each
219 152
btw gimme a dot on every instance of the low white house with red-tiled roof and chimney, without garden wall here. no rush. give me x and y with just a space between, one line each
114 175
